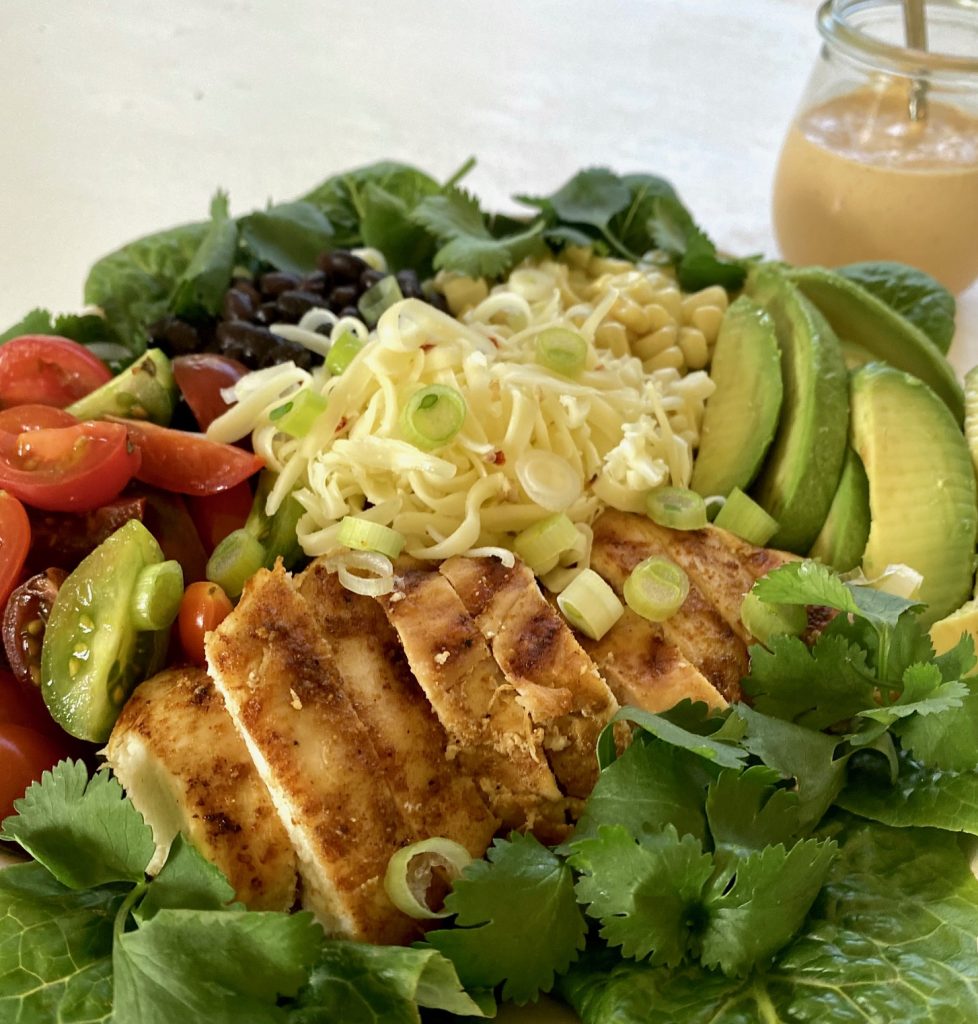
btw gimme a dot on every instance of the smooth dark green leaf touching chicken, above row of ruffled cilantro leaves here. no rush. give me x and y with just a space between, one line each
651 786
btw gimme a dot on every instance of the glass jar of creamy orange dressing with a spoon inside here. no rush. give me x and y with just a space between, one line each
882 159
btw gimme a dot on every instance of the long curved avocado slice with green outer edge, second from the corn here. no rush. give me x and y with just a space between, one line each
800 476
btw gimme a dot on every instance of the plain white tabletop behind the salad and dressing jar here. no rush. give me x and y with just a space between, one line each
121 118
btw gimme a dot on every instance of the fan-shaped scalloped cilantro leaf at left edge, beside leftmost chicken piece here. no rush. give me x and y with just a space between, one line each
84 832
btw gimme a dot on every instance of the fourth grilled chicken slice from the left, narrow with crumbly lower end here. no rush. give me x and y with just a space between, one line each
489 731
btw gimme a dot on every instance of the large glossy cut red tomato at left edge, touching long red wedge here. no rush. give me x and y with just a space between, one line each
68 470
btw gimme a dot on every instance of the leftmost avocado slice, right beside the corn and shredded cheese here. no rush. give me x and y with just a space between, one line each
741 417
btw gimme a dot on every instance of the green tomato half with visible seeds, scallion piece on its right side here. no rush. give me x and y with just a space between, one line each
93 655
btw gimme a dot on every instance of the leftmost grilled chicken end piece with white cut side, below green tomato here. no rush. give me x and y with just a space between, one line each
178 755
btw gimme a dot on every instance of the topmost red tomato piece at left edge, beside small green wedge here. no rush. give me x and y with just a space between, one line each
49 371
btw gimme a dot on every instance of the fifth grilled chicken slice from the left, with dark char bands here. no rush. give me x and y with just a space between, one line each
556 681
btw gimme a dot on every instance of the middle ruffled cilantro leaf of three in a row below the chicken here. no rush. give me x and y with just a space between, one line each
648 894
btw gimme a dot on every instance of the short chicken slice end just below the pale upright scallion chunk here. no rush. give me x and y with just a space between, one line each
645 670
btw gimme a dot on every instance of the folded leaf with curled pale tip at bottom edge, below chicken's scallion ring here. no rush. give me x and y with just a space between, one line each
358 984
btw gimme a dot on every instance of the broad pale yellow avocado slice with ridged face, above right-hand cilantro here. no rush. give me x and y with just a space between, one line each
922 486
